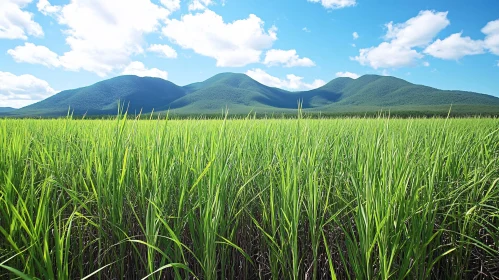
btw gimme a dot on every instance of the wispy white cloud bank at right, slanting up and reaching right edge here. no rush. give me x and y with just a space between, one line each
403 39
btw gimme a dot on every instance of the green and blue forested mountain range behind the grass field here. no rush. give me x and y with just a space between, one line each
241 94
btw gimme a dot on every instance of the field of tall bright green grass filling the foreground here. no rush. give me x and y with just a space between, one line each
249 199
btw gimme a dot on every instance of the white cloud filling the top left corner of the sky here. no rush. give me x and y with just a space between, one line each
16 23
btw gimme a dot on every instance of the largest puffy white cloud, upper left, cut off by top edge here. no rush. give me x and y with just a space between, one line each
103 35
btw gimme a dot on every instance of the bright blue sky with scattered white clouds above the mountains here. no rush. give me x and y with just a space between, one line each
50 46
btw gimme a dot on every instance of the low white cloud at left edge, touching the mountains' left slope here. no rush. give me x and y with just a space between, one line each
20 91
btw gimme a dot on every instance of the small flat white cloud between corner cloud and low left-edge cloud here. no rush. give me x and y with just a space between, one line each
33 54
